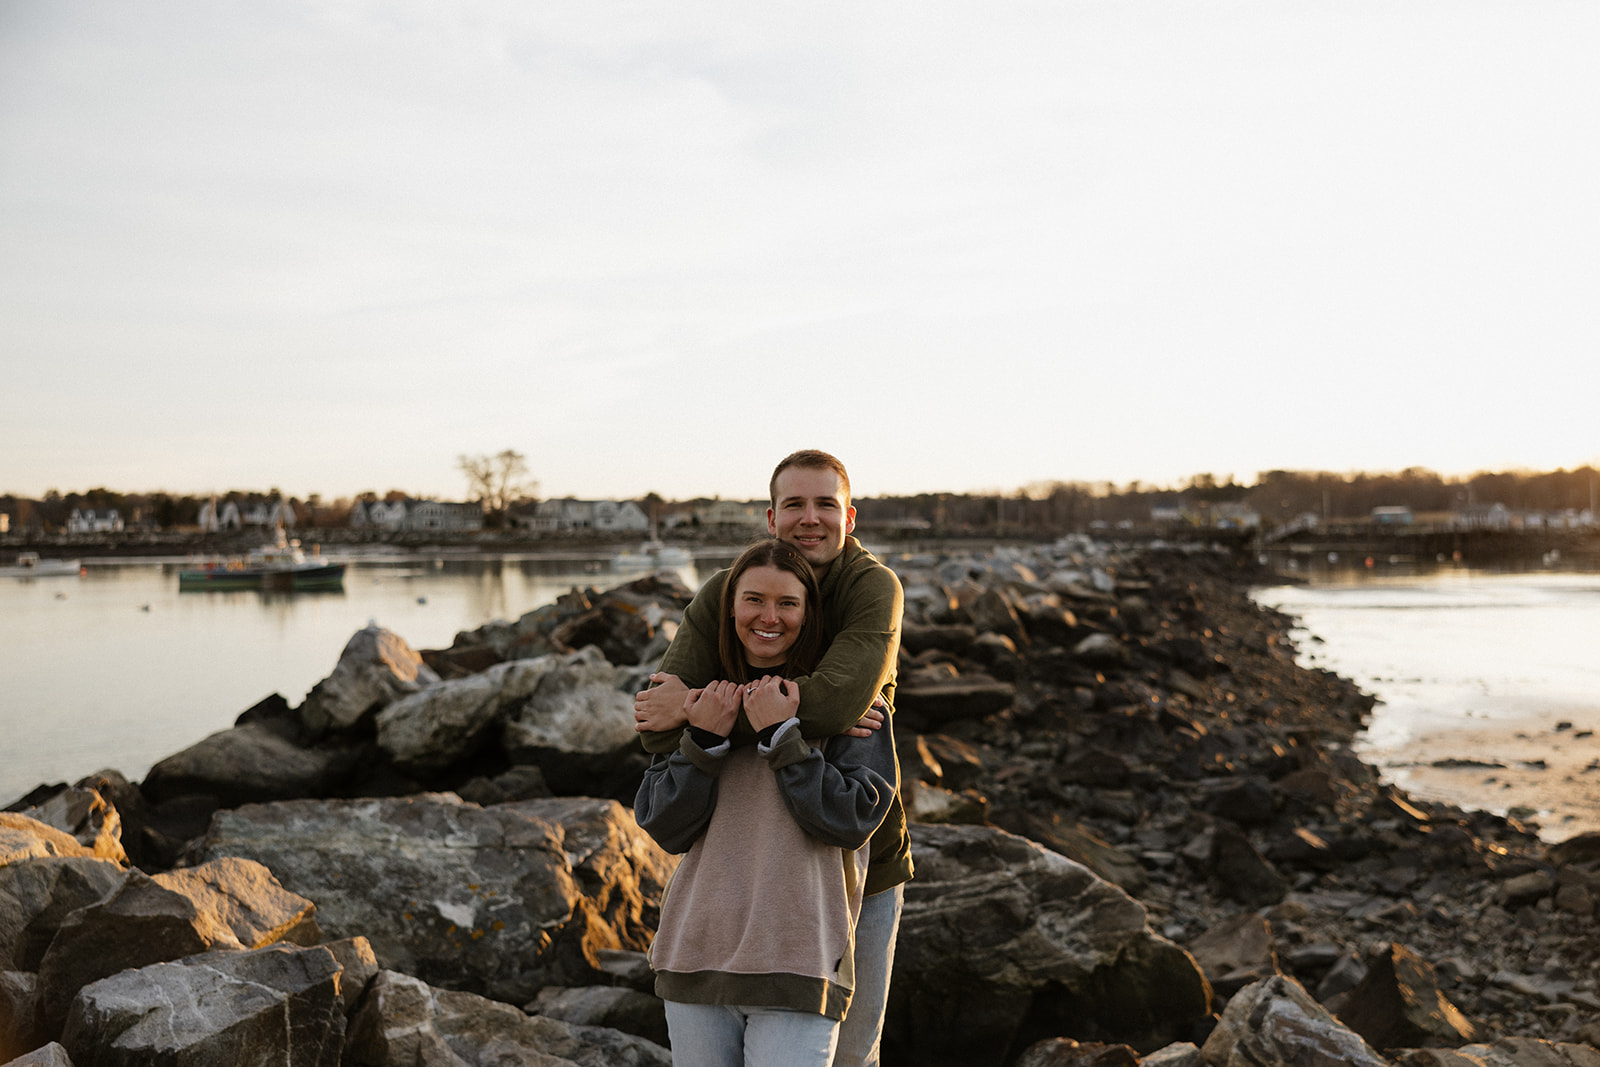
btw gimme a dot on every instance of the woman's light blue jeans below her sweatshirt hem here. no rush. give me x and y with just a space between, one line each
737 1036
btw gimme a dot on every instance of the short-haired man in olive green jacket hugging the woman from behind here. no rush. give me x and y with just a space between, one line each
862 612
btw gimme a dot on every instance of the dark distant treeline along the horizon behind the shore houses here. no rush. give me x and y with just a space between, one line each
1044 508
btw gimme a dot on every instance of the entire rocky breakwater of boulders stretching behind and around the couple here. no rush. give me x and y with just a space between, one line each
1138 833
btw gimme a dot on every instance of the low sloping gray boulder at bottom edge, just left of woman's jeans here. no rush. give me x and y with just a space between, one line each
406 1023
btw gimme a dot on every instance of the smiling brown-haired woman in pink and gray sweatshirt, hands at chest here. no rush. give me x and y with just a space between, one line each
754 949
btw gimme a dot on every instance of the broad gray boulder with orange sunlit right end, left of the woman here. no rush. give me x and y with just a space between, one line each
498 901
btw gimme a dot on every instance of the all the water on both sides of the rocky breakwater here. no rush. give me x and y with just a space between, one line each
1489 684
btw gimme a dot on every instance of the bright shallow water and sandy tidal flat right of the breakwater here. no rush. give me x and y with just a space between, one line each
1489 684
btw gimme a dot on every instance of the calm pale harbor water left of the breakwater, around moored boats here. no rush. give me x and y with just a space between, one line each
118 669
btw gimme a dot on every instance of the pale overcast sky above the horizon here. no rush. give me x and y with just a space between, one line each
330 247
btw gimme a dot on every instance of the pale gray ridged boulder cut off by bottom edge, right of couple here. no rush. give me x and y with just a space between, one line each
1276 1021
